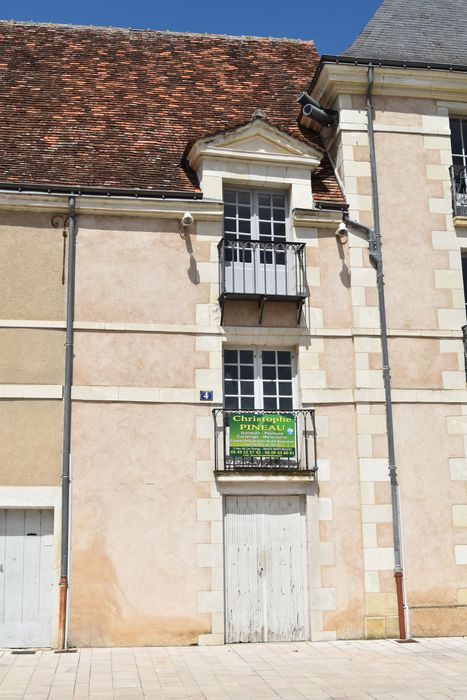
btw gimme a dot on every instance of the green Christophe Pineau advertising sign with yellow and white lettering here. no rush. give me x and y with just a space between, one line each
262 435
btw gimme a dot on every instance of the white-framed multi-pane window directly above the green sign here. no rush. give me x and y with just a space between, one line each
258 379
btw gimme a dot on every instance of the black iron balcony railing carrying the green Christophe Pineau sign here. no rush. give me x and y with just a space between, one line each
261 440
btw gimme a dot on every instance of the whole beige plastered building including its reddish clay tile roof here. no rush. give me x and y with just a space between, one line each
172 282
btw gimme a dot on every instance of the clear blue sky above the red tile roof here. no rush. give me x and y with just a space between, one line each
332 25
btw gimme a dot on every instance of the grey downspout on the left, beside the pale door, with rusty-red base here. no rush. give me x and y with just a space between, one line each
70 309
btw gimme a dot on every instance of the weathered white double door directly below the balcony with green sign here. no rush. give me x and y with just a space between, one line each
265 569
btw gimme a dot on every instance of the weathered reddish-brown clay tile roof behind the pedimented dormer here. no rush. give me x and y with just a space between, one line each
101 107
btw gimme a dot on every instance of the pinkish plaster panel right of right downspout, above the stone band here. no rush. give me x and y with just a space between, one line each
407 224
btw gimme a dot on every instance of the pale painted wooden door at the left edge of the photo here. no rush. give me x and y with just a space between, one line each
26 577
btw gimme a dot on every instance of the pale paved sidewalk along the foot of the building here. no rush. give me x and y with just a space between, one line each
432 669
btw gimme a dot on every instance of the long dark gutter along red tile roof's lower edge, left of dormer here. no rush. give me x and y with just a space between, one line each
77 190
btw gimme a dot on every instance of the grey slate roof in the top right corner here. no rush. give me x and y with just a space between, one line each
428 31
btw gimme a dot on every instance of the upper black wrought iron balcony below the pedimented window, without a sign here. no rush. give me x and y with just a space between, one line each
262 271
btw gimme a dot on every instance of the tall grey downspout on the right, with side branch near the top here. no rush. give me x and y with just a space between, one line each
377 259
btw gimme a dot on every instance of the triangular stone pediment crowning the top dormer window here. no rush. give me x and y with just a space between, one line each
255 142
